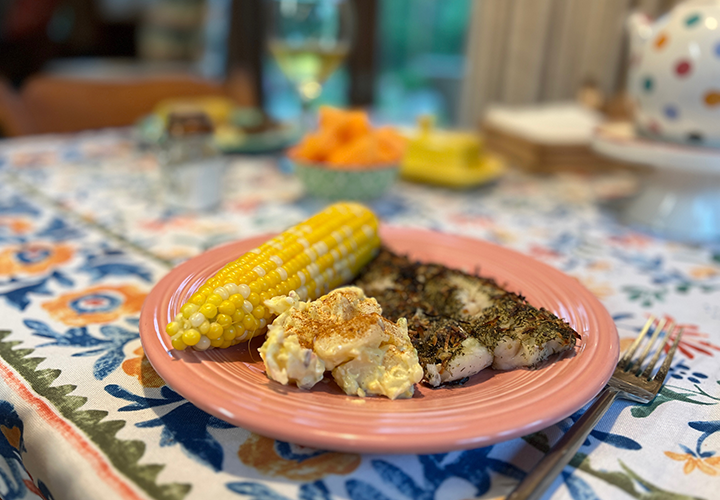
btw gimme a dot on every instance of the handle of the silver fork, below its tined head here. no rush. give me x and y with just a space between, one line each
545 472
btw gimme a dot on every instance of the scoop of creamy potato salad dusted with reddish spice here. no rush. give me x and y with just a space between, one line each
343 332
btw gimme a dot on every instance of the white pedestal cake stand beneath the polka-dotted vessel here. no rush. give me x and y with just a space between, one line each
680 199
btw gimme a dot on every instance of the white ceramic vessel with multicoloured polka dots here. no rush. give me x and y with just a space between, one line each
674 74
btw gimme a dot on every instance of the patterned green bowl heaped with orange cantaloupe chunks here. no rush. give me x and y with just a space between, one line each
346 157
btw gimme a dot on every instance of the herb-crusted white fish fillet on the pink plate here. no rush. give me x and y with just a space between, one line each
460 323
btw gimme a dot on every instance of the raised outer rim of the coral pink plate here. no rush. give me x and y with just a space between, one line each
376 442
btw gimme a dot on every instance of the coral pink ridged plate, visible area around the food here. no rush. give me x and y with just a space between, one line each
491 407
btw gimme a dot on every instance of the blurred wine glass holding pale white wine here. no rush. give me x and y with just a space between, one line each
309 39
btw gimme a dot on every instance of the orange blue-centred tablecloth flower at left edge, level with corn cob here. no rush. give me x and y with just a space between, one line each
33 258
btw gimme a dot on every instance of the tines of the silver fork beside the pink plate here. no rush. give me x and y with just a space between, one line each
661 329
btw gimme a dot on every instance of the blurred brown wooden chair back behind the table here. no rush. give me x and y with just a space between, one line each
52 104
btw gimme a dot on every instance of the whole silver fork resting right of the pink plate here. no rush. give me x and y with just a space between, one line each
629 381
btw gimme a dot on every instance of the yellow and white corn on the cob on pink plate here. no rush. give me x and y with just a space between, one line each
311 258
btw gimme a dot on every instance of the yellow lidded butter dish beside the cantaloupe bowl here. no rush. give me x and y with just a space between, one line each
448 158
